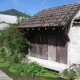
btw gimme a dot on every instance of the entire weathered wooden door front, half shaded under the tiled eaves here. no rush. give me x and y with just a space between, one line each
49 46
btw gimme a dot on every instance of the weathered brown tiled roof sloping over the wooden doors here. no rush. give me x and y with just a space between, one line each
53 17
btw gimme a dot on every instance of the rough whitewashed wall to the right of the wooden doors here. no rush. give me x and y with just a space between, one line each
74 44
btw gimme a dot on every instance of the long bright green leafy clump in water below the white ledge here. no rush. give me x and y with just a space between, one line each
15 68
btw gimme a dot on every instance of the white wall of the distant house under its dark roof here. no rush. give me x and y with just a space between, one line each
8 18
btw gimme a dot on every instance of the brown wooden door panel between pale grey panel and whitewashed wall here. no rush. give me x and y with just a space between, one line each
61 48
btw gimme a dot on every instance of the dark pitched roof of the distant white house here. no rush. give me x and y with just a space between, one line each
12 12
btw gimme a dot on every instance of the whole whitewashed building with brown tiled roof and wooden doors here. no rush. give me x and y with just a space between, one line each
55 36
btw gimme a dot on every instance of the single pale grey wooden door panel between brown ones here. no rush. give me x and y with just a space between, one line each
52 47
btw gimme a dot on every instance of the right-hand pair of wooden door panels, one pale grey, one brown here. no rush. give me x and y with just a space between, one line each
57 47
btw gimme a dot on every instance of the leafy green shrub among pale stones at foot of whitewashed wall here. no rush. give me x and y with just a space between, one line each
72 72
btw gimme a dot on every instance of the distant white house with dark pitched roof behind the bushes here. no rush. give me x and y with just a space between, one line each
9 16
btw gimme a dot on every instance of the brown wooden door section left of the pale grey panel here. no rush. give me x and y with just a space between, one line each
39 47
